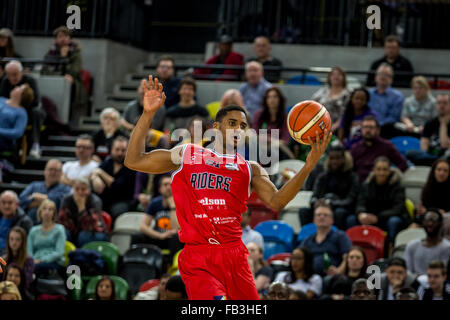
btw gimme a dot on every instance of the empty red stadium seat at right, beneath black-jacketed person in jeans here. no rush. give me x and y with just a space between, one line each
370 238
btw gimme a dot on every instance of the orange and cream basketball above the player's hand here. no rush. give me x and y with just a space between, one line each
307 117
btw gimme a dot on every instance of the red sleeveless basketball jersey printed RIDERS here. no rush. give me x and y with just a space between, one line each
210 191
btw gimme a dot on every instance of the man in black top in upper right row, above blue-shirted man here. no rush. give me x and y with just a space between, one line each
396 61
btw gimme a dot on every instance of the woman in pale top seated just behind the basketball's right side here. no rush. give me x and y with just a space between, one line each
334 96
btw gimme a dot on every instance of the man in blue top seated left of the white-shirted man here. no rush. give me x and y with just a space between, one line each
38 191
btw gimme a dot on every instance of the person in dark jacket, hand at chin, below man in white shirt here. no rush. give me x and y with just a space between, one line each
80 215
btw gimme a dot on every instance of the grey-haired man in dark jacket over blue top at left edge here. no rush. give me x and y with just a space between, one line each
11 215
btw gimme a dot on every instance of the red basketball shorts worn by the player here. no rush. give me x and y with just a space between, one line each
217 272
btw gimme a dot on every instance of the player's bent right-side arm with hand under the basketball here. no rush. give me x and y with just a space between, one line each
278 199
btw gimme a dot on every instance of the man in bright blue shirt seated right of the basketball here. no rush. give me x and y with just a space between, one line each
385 101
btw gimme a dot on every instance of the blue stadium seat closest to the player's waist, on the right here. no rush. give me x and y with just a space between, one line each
278 237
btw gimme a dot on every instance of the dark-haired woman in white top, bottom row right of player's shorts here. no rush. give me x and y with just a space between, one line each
301 275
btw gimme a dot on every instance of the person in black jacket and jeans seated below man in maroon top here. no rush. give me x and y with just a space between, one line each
381 200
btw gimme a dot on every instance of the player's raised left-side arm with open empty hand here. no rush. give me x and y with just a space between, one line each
157 161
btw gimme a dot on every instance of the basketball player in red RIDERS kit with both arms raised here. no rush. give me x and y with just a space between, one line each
210 191
